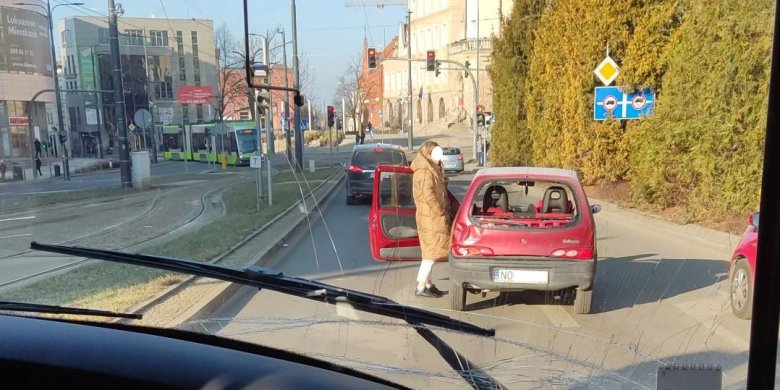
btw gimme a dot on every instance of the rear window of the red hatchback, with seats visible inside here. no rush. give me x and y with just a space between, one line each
524 204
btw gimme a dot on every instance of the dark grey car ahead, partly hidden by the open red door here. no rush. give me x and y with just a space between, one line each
360 171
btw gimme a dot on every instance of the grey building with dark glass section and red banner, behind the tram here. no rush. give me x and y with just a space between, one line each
169 68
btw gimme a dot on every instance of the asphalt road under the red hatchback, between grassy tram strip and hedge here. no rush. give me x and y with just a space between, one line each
661 298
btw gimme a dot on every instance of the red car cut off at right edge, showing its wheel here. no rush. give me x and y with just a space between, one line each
741 270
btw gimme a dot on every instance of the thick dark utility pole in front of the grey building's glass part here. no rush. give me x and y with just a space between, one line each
119 99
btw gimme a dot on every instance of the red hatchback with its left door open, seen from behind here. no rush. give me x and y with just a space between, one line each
517 229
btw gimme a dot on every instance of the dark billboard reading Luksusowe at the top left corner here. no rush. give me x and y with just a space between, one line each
24 42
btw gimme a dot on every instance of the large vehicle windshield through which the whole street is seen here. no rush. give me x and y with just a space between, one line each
607 157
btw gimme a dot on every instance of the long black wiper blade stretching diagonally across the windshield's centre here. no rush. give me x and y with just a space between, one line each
265 278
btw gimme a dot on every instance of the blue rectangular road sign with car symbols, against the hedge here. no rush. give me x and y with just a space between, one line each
612 102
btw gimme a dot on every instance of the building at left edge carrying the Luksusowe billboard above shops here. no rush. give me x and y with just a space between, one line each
25 71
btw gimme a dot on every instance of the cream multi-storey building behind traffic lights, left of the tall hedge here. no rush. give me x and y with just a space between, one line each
460 31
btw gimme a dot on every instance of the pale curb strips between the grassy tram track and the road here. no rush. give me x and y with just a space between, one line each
212 301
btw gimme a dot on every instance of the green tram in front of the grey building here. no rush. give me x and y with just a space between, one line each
237 140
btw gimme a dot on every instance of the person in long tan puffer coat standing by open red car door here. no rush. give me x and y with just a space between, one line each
429 189
